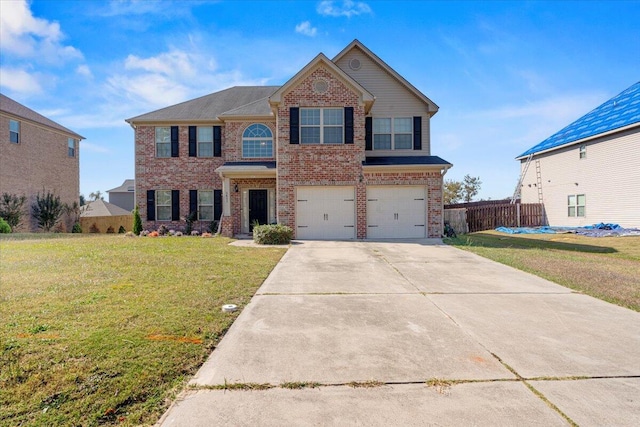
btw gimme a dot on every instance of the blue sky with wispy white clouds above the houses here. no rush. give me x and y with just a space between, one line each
505 74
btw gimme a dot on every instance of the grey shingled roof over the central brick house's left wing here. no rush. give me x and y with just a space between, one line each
208 107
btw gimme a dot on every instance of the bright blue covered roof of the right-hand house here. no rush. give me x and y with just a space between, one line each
621 111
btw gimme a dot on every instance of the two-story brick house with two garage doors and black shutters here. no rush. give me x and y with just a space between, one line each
340 151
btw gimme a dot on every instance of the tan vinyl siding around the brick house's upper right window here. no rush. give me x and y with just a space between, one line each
393 99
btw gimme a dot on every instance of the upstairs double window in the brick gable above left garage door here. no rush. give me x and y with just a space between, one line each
321 125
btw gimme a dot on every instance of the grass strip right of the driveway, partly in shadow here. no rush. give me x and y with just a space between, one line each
603 267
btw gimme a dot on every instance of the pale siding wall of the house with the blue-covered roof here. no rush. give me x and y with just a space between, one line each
609 177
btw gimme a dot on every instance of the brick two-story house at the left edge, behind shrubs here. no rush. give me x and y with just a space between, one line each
37 155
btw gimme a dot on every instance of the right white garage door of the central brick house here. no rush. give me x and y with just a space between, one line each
396 212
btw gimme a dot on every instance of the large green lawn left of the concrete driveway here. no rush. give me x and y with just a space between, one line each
106 329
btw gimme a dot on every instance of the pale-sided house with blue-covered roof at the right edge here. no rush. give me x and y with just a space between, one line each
588 172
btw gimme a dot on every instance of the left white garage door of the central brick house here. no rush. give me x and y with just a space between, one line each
325 213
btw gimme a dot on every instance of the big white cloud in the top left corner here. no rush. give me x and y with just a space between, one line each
25 36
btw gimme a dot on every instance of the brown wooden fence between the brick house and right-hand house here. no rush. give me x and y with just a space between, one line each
480 217
